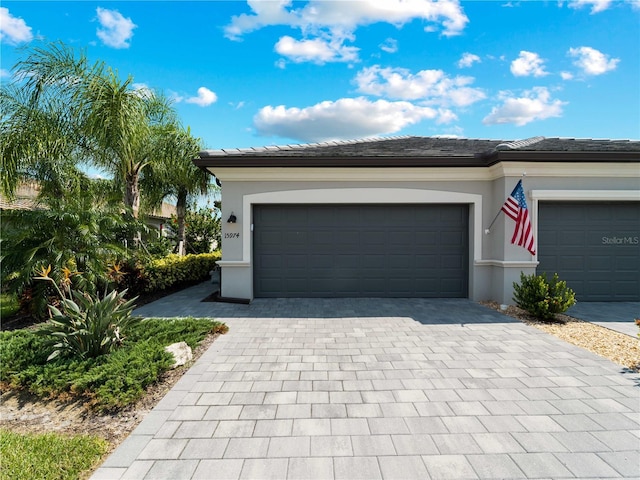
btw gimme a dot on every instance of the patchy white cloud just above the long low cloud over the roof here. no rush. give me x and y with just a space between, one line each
433 87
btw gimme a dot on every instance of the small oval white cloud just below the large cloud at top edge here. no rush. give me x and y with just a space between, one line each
317 50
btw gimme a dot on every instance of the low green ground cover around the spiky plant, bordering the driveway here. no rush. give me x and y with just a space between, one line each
110 382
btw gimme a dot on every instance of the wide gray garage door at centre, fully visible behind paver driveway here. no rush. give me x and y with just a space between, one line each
360 250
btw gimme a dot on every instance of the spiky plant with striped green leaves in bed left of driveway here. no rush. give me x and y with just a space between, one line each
86 326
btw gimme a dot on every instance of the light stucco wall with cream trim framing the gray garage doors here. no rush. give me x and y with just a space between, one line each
494 263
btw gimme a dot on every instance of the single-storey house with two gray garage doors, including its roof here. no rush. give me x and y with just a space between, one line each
407 217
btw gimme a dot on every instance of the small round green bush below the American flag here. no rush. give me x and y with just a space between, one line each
543 298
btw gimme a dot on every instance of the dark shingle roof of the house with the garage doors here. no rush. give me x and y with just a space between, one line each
424 152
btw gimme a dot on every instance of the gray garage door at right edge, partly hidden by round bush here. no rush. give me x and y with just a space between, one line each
593 246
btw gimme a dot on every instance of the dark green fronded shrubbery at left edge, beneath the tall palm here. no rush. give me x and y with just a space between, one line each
82 232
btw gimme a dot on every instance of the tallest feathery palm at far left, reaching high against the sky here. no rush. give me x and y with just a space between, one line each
61 108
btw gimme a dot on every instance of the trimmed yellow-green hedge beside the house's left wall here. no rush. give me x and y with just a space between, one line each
174 270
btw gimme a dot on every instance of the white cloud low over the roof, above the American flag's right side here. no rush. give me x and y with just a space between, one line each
535 104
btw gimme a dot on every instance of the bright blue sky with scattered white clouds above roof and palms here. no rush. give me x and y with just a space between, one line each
253 73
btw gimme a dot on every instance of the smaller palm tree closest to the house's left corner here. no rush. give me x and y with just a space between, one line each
176 175
